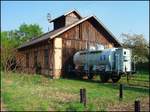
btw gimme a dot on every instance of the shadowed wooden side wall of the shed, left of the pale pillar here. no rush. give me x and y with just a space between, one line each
40 58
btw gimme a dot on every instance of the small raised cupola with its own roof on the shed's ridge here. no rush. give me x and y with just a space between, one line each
66 19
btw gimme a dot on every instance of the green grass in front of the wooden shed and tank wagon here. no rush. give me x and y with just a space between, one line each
35 92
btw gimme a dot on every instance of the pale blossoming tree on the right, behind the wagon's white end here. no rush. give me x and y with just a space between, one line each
139 46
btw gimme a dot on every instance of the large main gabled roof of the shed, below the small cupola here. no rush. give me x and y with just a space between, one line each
54 33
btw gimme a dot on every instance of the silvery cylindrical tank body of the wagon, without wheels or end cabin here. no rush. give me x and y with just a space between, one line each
104 57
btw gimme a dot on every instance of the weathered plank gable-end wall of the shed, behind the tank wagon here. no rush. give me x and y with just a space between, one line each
76 39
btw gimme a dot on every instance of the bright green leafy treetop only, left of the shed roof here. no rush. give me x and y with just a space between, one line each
23 34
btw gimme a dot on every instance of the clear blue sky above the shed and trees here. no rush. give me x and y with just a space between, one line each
118 16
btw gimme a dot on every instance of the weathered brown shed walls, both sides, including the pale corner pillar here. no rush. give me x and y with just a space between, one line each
63 47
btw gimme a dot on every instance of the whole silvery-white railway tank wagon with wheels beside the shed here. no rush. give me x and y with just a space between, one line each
108 63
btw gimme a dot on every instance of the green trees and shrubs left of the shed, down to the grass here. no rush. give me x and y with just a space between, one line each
10 40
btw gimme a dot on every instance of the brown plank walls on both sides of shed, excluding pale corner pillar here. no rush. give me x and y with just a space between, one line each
73 40
